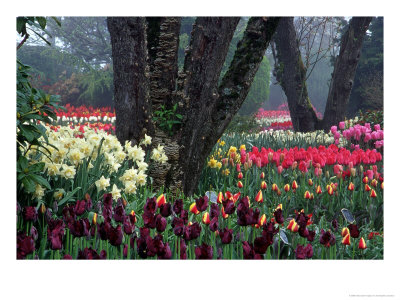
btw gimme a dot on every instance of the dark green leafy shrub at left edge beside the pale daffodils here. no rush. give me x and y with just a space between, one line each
32 106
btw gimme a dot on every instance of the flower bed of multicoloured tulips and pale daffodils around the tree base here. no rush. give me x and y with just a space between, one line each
271 195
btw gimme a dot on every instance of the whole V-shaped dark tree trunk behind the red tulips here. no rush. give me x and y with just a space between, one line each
291 74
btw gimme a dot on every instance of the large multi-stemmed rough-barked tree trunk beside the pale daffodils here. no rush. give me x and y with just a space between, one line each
206 106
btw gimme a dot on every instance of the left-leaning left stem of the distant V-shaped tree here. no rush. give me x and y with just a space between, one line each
291 74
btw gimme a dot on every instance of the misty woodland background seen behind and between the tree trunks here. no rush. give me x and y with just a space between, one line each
78 64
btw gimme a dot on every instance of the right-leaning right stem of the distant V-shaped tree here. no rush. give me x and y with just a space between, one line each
344 71
